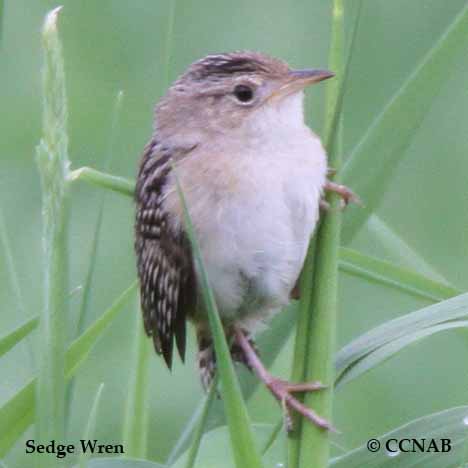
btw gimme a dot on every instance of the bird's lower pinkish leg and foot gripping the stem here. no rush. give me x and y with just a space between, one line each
281 389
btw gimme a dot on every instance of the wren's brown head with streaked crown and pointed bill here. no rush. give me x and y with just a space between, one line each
223 93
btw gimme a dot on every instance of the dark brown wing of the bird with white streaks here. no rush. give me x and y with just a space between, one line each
164 260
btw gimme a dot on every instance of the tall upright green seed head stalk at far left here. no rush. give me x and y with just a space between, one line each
53 163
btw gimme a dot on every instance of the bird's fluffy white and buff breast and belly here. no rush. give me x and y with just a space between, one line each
254 203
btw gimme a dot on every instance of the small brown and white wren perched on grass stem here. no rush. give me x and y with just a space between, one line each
231 132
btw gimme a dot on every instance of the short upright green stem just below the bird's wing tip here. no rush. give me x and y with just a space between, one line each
135 428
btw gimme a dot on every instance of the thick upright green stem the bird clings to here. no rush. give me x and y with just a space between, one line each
314 444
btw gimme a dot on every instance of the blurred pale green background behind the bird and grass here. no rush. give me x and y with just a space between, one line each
422 221
